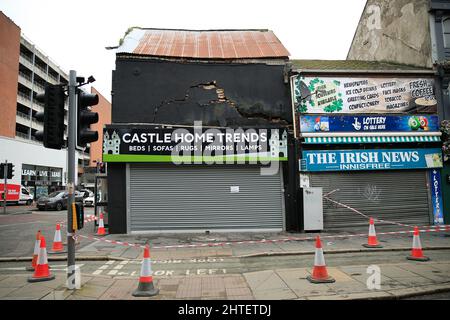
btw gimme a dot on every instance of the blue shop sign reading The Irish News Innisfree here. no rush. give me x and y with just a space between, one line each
374 159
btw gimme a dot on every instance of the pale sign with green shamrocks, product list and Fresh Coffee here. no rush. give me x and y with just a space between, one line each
364 95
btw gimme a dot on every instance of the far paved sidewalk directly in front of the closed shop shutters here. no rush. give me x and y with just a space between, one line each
344 242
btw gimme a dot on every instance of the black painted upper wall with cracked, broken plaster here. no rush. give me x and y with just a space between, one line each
225 94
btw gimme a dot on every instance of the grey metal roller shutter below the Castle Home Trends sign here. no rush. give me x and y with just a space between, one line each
201 198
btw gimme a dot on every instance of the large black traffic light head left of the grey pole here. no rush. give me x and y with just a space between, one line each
53 117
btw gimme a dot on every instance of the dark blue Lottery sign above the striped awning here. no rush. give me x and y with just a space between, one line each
369 123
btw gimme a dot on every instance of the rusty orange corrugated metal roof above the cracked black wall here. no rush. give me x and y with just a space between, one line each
204 44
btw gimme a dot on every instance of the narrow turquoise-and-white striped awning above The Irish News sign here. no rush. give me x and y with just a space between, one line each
369 139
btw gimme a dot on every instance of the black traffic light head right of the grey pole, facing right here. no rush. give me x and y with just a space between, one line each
85 118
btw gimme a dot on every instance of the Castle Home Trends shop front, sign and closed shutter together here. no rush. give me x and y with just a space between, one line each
197 180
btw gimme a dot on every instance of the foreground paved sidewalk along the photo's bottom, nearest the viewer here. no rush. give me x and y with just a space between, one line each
397 281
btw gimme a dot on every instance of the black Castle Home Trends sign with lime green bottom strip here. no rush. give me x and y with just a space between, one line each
194 145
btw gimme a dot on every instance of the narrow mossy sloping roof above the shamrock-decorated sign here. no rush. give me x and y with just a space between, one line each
333 65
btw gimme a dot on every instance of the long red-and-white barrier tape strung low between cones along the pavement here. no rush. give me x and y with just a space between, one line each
216 244
